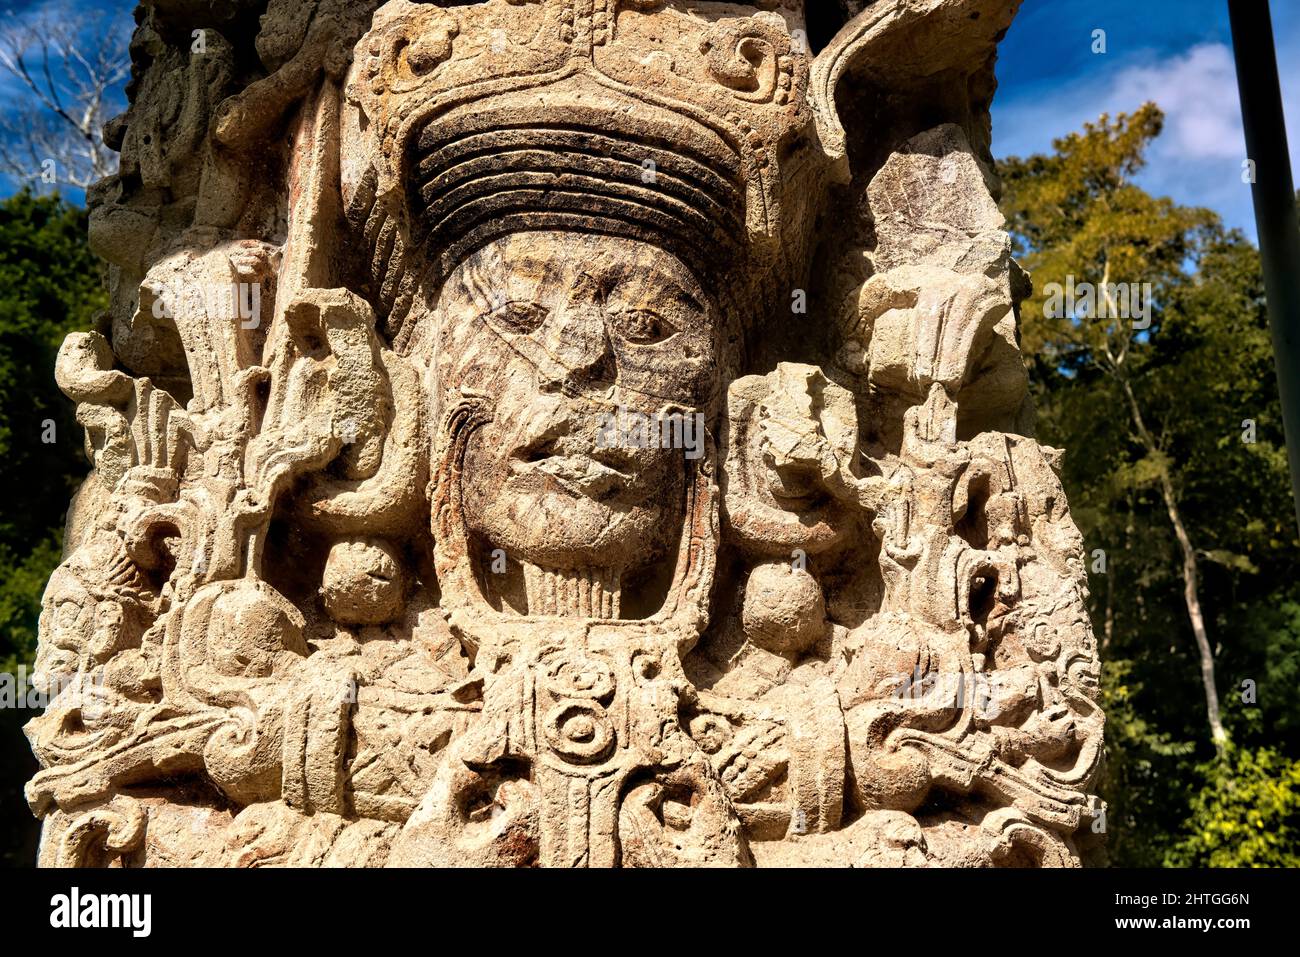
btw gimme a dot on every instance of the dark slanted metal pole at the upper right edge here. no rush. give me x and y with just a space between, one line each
1275 205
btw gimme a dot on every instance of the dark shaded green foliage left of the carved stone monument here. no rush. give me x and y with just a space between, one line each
50 285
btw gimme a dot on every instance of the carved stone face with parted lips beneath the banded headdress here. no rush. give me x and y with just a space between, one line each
571 337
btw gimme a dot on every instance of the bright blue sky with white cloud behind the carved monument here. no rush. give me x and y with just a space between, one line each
1176 53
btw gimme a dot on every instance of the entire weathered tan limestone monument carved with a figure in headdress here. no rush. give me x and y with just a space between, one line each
567 434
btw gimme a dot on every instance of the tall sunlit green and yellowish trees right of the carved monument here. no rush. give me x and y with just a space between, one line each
1176 469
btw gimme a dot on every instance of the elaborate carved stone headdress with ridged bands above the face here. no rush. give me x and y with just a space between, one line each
474 123
